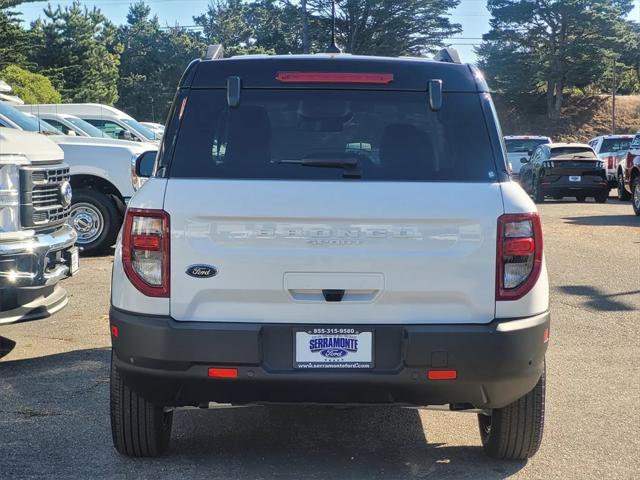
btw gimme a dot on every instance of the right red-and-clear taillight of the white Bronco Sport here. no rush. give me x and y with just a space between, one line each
519 255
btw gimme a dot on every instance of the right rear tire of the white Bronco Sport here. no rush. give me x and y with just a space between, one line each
515 432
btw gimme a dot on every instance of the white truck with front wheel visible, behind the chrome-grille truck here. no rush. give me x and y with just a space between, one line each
100 176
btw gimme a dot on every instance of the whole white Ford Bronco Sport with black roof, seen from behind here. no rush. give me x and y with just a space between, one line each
314 231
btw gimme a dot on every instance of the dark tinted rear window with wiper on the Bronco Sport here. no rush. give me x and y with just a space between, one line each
303 135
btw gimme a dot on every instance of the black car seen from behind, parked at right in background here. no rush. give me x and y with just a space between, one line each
561 170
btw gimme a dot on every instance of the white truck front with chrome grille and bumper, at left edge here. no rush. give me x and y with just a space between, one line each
36 243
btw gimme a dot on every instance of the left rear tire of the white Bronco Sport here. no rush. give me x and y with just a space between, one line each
138 427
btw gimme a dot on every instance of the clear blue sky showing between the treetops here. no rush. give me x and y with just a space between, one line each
471 14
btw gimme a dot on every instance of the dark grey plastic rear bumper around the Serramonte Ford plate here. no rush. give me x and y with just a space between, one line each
167 362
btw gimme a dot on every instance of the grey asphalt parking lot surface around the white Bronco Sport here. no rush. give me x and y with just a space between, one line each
54 420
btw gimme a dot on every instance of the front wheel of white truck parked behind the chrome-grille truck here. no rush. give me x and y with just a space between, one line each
95 219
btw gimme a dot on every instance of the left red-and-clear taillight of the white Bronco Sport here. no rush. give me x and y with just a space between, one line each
145 251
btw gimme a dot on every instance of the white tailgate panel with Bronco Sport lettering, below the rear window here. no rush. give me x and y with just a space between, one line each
402 252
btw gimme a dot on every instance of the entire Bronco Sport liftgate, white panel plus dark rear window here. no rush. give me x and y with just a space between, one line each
302 197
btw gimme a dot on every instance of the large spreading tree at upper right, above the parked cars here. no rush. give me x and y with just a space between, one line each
552 45
